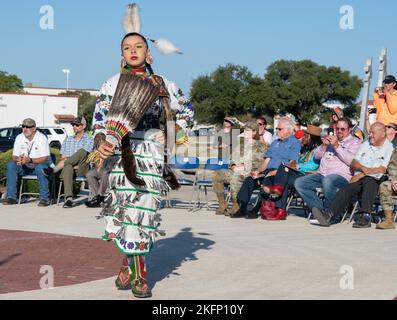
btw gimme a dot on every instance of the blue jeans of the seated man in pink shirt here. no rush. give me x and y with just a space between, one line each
306 187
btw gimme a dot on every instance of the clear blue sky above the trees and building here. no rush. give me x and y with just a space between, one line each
87 34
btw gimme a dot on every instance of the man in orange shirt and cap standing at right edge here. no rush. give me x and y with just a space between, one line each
386 101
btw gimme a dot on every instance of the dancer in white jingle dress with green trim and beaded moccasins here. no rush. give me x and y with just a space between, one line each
131 210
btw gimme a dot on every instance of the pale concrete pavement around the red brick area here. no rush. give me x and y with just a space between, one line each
205 256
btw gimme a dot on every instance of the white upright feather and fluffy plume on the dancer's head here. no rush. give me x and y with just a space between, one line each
132 23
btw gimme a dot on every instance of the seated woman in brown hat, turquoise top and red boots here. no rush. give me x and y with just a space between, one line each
288 173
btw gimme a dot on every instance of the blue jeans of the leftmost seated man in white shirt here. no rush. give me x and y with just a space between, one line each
14 172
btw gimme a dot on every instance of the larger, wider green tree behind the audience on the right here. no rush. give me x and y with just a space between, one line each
302 88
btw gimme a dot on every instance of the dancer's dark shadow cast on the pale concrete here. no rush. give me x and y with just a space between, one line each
170 254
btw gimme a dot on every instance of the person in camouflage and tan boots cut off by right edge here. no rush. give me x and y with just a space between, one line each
387 190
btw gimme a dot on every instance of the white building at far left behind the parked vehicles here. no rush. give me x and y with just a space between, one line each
46 110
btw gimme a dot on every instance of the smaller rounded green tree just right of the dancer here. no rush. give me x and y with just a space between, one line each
227 91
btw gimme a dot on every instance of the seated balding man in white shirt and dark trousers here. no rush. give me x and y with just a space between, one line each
370 165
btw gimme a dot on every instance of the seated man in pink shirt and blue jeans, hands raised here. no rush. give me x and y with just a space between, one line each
336 155
